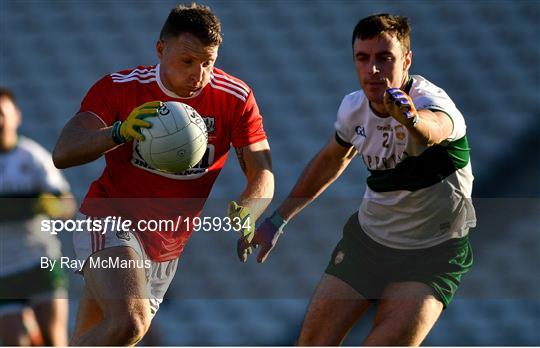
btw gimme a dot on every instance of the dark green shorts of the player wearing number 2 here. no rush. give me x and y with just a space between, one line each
368 266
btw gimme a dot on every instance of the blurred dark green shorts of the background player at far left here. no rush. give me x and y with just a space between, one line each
32 285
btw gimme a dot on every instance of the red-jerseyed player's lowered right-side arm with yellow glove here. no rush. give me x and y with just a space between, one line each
256 163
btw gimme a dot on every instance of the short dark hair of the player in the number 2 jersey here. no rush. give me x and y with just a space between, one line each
377 24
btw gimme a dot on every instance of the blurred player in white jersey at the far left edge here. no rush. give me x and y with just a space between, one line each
30 188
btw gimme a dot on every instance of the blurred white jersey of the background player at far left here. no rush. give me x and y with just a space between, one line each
26 171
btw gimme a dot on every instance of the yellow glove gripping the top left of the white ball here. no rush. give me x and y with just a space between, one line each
130 129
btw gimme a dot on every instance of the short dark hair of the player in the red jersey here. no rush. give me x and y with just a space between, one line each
194 19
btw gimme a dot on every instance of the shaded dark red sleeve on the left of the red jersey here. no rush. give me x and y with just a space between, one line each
101 100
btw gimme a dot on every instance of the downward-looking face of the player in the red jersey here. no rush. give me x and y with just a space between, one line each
185 64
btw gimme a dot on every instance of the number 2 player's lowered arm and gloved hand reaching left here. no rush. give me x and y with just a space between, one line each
323 169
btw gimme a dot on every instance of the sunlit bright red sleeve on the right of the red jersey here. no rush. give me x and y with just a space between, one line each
248 127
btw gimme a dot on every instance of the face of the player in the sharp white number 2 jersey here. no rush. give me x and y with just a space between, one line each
380 63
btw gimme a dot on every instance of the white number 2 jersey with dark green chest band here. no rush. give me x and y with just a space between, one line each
416 196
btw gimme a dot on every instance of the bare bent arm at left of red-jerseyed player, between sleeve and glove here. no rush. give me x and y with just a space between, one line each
84 139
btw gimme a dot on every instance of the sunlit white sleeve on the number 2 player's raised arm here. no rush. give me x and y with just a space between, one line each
438 100
